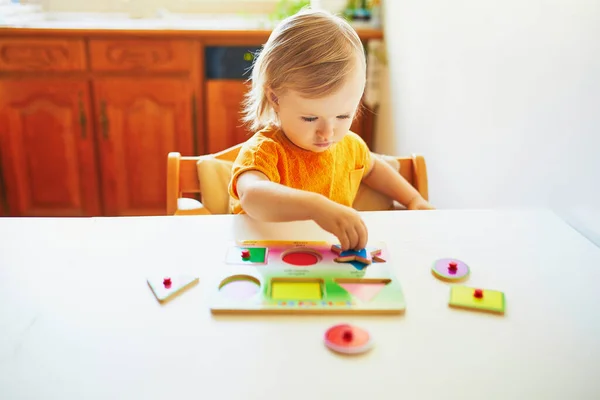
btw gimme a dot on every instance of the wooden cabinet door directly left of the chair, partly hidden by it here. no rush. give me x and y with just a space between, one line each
139 122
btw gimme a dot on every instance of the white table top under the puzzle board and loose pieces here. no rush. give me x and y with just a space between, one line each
77 320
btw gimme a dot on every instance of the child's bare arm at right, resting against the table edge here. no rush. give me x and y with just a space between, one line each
383 178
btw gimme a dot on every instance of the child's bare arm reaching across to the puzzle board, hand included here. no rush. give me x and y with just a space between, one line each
268 201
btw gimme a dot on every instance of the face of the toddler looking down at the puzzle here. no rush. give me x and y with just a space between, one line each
317 124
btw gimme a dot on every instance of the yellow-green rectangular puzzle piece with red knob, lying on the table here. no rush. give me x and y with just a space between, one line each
477 299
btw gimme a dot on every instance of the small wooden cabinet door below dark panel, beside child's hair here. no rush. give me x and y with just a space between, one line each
224 127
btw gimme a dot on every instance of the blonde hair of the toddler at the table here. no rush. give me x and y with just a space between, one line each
311 52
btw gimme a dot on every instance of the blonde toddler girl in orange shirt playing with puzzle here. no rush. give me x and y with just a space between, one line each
303 162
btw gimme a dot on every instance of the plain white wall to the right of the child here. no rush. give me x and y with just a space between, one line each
502 97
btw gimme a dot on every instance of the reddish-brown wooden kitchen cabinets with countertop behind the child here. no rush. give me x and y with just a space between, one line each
88 117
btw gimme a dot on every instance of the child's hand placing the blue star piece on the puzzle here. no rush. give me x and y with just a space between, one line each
343 222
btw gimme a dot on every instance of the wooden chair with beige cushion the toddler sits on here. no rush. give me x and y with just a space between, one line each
184 177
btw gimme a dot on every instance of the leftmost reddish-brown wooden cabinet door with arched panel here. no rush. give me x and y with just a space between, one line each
47 148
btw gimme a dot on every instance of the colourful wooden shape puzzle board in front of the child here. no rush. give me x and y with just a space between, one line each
303 277
